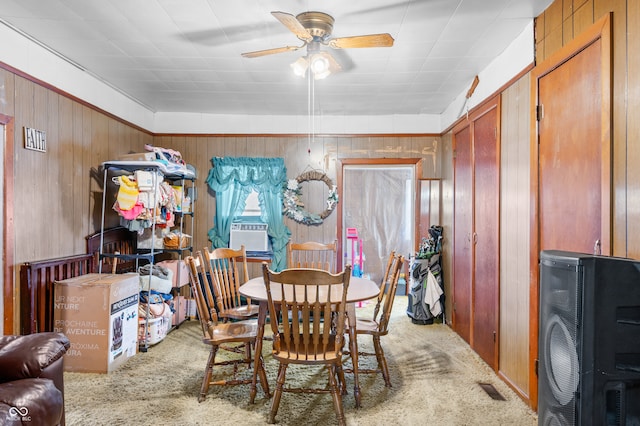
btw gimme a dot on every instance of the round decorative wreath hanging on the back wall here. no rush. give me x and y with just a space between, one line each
293 207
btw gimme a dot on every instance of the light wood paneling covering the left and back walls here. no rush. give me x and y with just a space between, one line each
58 194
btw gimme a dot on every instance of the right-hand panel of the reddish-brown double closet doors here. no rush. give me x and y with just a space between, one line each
486 236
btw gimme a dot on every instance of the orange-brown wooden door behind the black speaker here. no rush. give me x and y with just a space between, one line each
570 155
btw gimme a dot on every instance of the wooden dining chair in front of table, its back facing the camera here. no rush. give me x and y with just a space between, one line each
296 298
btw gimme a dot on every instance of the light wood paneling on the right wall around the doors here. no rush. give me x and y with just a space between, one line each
560 23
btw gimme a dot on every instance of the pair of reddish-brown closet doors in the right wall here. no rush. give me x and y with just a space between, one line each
476 231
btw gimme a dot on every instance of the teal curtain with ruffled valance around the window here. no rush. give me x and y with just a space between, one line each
233 179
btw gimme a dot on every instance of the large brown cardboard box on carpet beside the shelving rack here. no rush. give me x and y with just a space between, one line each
99 315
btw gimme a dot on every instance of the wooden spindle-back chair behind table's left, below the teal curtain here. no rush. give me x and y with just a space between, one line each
228 271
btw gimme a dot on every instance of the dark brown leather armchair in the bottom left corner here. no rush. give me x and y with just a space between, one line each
31 379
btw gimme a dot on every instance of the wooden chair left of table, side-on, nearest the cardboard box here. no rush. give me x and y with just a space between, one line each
216 334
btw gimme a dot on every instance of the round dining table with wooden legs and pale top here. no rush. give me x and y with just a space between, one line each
360 289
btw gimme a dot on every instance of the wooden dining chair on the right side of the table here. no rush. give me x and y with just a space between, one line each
378 325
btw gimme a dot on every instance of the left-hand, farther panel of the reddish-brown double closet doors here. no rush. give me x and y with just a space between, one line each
462 230
